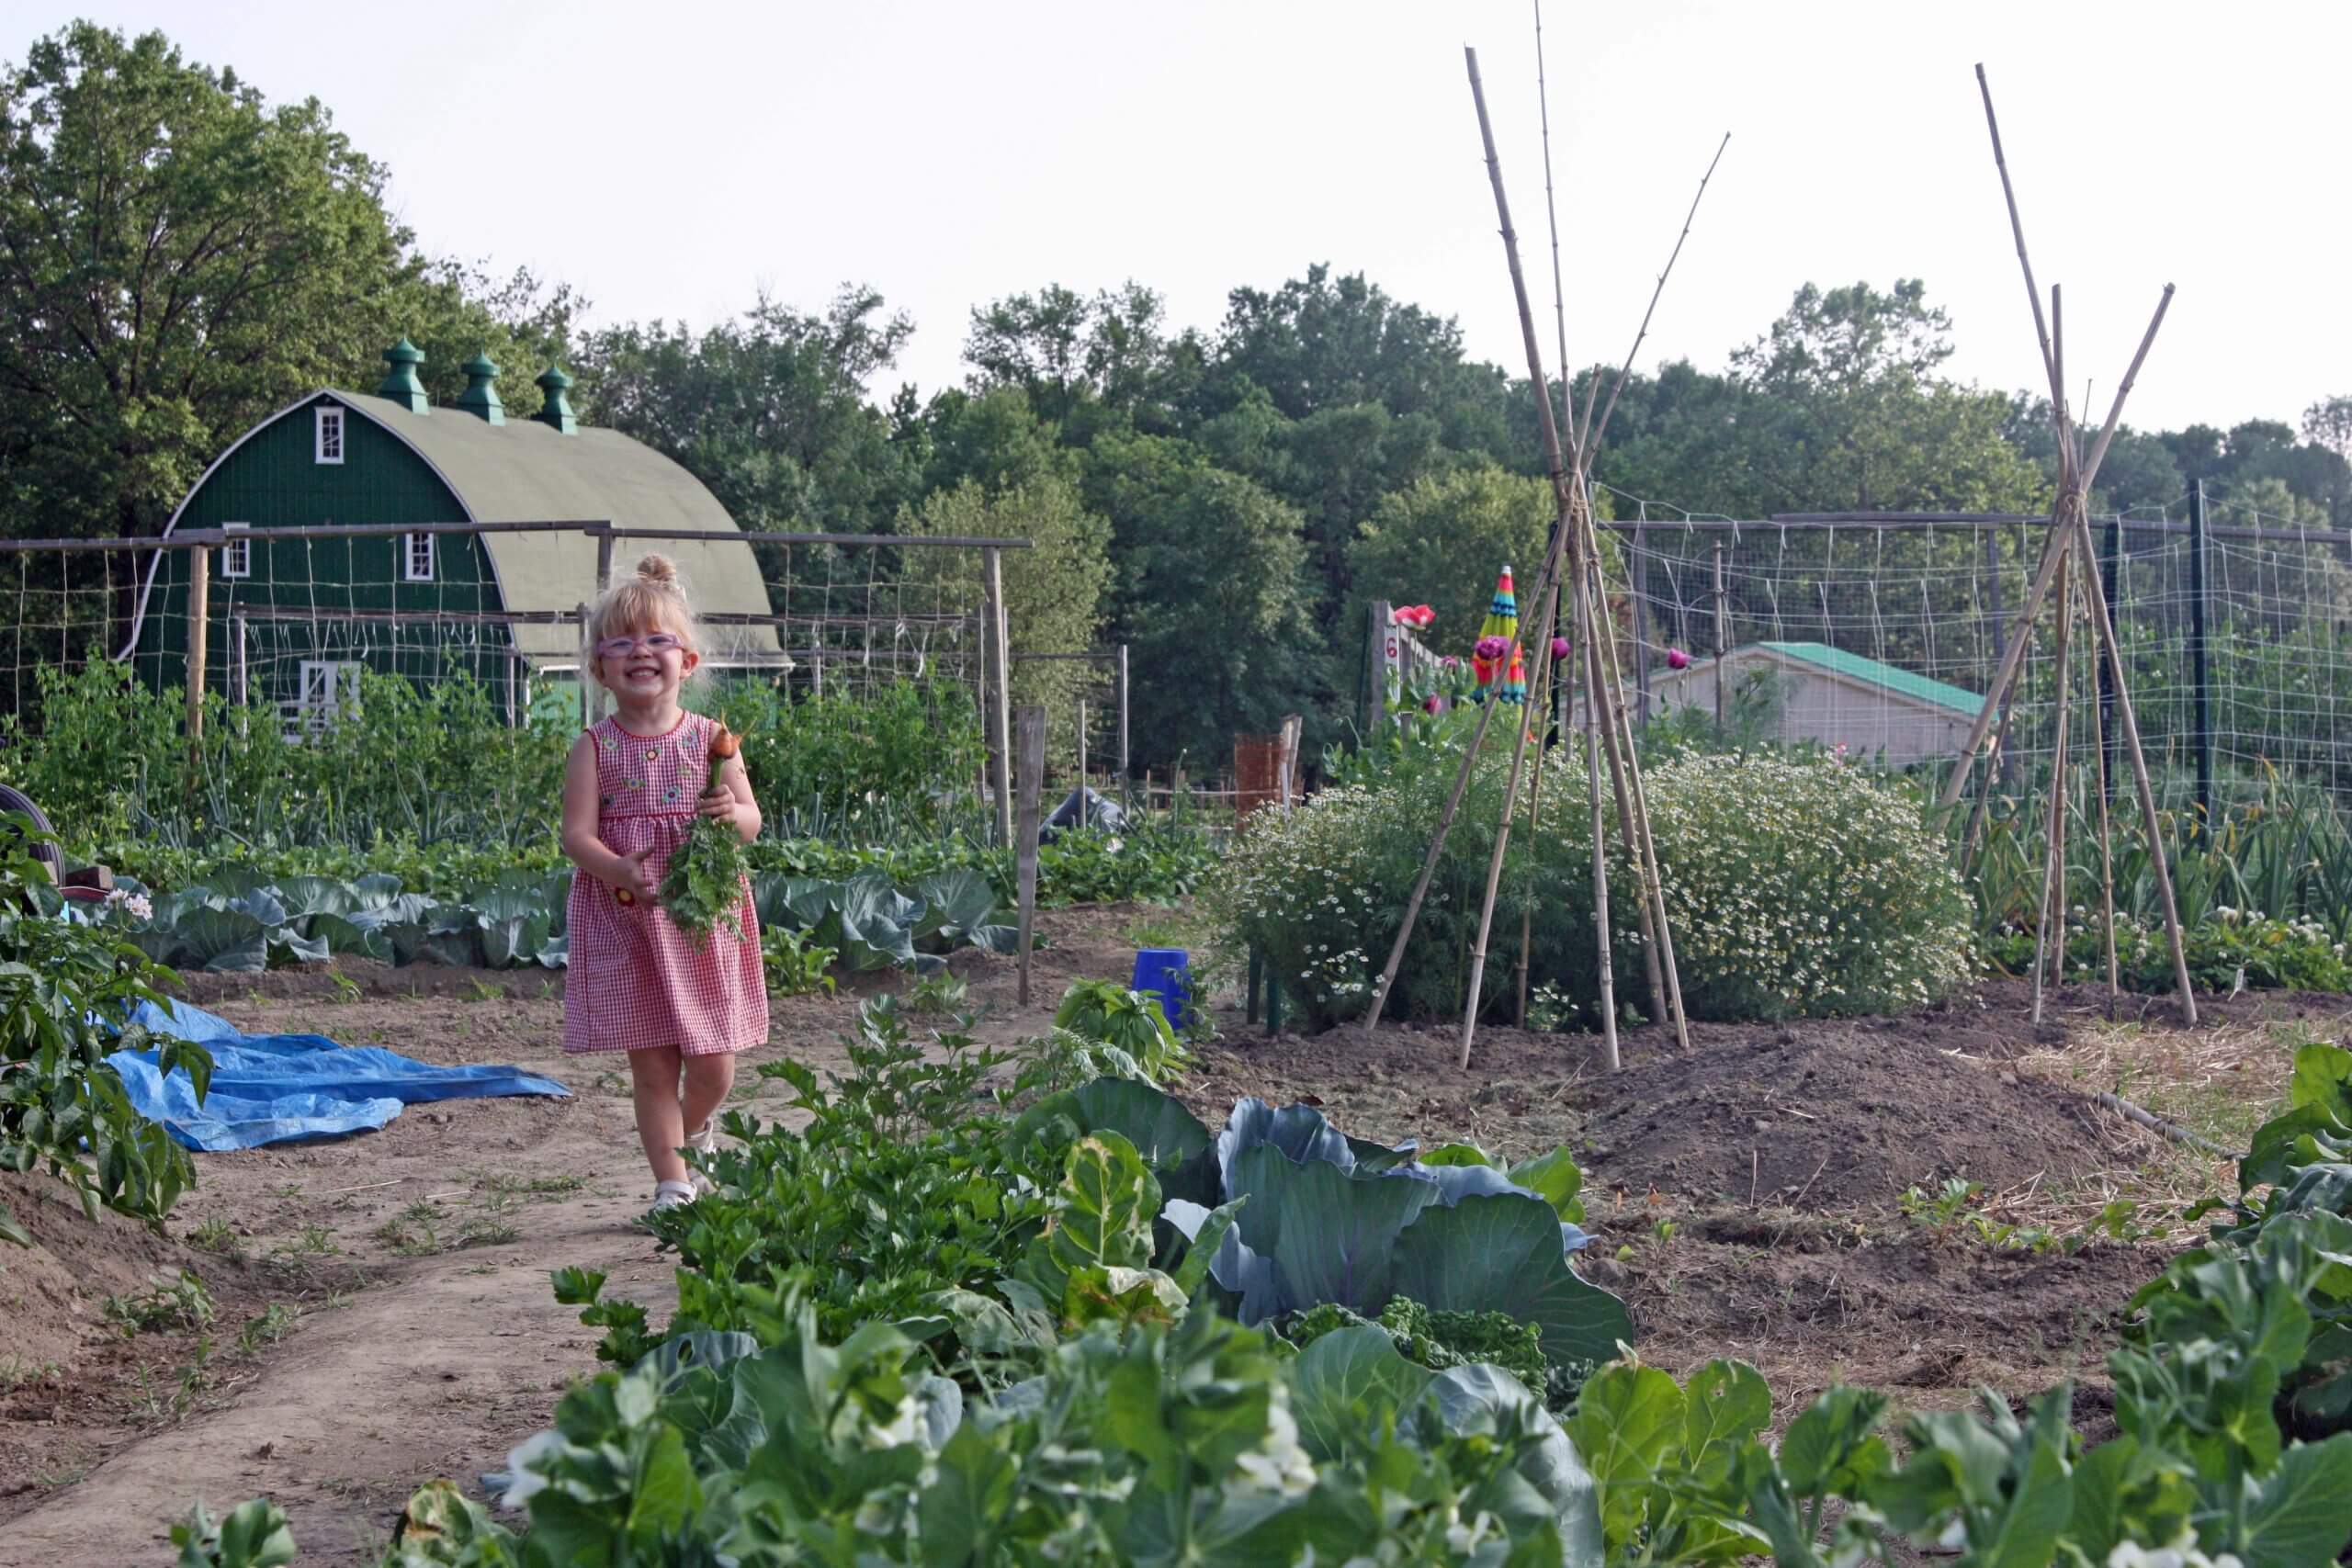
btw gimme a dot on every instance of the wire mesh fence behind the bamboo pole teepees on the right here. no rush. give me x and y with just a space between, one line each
1883 634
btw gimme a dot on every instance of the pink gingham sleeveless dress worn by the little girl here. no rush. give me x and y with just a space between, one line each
636 981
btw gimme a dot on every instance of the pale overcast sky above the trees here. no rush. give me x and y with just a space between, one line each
676 159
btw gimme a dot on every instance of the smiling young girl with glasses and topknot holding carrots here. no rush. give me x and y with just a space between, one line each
632 793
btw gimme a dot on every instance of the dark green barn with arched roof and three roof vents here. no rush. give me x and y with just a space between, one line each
290 622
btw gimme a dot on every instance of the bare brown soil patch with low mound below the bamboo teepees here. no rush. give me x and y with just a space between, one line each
1751 1193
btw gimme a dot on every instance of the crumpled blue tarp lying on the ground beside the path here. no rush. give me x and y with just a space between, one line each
293 1087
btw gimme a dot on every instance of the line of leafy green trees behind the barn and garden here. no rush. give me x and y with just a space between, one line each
182 257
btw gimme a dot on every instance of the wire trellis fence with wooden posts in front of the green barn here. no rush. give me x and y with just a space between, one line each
283 622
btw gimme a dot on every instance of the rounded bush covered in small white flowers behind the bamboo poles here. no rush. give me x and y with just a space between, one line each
1798 887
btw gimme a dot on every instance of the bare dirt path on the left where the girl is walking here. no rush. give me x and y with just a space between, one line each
417 1259
